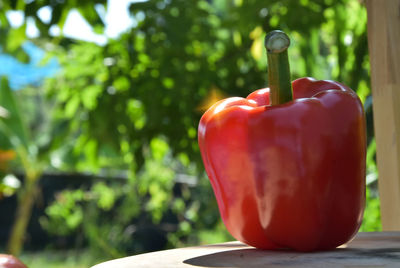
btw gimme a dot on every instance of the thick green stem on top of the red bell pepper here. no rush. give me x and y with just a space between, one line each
276 43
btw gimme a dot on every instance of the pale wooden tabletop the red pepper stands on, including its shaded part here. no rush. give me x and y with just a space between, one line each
380 249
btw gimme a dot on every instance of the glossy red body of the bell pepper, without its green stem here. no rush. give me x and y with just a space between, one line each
289 175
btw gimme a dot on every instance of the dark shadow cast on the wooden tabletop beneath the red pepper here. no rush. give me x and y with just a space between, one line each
341 257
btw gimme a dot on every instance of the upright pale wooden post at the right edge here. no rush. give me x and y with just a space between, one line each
384 48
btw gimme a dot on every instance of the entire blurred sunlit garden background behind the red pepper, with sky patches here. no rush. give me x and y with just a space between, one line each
100 102
